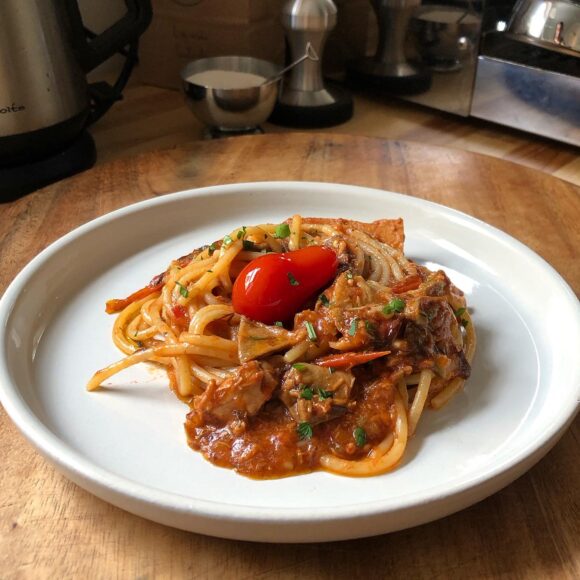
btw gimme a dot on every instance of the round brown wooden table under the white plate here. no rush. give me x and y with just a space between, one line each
50 528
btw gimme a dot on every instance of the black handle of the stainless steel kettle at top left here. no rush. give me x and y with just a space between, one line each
92 52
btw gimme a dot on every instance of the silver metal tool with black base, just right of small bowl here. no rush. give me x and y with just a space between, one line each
305 100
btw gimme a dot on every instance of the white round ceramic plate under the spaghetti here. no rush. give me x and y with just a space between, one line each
127 444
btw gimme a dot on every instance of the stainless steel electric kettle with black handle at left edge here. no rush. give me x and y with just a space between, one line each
45 53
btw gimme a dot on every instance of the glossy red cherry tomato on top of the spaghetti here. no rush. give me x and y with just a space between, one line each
273 287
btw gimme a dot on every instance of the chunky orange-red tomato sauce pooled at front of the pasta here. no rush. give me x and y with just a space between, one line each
269 445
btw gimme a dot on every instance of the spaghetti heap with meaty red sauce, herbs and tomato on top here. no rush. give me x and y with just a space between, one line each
339 384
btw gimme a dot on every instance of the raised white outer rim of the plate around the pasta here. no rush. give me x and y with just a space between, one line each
80 469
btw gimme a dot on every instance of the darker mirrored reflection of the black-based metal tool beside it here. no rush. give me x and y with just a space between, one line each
390 68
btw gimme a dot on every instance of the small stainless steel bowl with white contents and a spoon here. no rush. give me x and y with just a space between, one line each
225 108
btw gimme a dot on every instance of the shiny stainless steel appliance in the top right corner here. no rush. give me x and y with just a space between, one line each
516 63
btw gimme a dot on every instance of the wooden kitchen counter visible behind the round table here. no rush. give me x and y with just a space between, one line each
151 118
